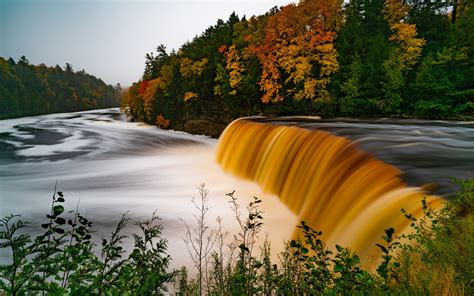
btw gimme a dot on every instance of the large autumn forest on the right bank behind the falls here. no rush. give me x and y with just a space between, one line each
366 58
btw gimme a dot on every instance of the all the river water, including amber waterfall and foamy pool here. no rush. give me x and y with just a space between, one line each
110 166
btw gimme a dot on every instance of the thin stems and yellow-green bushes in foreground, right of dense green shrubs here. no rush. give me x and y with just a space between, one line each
436 258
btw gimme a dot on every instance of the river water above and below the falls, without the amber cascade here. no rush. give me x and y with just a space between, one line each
109 166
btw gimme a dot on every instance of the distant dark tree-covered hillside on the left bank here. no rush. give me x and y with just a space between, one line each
27 90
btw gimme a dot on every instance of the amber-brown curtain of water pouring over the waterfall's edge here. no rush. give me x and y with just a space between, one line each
326 180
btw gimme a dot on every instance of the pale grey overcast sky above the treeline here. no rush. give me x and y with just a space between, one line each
109 38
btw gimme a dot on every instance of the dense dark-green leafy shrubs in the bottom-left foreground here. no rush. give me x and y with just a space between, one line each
64 260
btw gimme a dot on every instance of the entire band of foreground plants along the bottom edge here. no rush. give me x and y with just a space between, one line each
436 258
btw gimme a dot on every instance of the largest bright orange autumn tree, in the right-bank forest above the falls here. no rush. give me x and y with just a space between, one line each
297 52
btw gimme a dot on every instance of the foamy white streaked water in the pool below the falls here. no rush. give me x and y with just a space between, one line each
110 166
